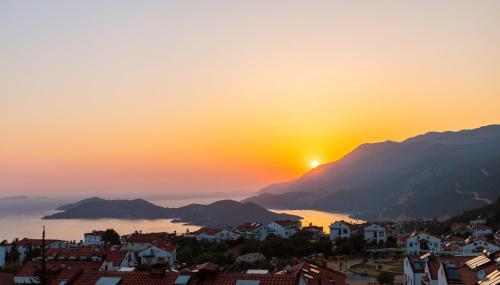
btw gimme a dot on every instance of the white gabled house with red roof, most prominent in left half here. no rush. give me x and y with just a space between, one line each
158 252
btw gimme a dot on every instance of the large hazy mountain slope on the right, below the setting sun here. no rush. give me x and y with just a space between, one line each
430 175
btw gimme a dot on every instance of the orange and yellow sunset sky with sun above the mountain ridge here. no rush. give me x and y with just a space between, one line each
134 97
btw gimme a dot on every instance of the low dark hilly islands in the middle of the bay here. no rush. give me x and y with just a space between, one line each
221 213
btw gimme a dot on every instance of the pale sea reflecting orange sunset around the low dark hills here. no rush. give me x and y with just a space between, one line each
21 217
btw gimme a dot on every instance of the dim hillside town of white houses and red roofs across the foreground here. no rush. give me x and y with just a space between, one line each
280 252
